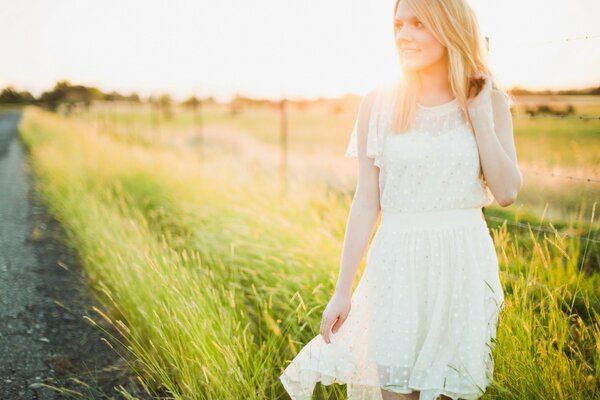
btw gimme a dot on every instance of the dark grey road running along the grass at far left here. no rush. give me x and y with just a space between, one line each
44 339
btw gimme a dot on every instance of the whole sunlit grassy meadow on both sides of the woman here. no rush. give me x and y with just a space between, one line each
215 275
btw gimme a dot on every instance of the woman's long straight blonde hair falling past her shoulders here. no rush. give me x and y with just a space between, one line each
454 24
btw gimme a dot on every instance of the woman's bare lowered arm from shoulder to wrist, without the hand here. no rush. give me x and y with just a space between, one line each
365 207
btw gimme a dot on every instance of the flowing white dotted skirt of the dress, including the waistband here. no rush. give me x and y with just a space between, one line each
423 316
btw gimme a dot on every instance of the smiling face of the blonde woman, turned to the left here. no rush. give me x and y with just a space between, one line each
417 47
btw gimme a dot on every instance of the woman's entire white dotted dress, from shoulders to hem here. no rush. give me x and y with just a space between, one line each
424 313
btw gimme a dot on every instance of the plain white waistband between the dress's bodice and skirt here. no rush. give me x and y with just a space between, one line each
434 218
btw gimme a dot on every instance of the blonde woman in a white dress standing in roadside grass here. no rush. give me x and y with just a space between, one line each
432 150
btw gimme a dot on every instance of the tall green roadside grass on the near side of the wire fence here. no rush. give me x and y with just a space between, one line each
215 280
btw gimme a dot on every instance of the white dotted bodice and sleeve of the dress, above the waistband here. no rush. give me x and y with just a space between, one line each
435 165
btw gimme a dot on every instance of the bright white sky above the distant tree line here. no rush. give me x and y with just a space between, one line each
267 48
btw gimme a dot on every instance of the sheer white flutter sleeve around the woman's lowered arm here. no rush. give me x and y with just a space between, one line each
374 133
